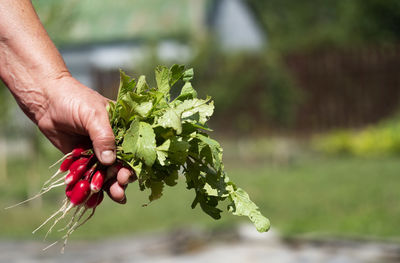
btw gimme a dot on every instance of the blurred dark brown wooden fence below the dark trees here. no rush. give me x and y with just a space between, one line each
348 88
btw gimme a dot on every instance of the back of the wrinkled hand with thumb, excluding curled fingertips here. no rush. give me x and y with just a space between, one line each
74 112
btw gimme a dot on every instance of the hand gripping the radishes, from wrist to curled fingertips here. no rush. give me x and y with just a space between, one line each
75 115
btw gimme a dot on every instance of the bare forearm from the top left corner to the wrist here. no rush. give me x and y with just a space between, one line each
29 61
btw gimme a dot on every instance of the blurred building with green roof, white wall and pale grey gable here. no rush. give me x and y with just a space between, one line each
106 35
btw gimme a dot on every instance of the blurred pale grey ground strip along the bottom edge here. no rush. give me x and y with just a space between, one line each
243 245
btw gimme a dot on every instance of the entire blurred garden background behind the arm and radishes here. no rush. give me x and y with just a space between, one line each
307 97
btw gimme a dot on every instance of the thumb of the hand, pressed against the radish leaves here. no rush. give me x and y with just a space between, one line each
103 139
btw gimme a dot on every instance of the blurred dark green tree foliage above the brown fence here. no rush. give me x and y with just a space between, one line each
295 25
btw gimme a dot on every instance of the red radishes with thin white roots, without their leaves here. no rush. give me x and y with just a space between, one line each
84 178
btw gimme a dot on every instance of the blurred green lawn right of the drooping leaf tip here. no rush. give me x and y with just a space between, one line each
329 196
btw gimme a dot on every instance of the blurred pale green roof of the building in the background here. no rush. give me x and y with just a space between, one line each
94 21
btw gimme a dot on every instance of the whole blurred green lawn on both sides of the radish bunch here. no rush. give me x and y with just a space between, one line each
323 196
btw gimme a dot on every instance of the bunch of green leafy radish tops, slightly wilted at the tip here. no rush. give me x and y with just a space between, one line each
158 137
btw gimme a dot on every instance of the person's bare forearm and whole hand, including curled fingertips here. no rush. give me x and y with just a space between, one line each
68 113
